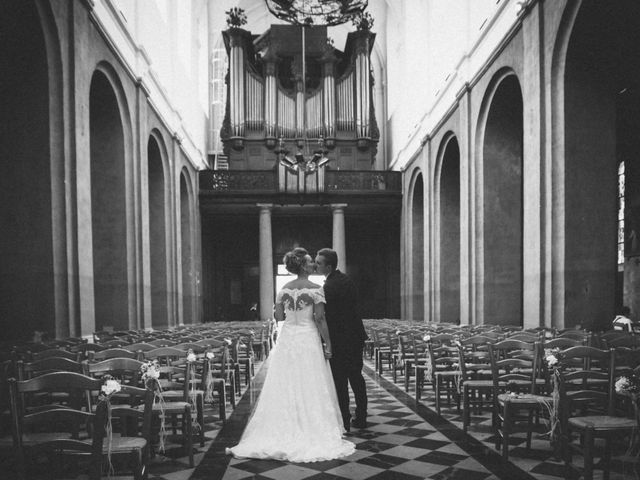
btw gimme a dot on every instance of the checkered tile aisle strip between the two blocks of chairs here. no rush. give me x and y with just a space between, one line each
402 441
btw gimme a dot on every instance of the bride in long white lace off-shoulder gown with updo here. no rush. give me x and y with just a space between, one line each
297 417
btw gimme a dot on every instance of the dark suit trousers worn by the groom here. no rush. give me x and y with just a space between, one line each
346 368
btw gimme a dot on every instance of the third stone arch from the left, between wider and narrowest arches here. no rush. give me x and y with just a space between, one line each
159 220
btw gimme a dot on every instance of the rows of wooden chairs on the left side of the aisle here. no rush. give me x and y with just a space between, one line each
42 379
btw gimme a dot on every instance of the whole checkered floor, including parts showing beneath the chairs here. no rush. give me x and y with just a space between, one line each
403 440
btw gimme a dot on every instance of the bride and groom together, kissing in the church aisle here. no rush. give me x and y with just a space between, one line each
303 409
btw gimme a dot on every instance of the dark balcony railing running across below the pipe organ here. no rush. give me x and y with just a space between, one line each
352 182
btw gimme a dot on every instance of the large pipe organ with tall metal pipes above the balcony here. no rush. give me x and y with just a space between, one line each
268 99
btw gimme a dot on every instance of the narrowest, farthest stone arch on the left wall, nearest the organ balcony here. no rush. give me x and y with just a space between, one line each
187 243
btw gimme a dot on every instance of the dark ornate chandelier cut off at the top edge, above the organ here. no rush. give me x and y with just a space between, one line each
316 12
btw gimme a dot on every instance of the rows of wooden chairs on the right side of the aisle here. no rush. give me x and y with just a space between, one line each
505 372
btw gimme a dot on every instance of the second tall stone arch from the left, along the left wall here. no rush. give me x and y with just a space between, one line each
111 184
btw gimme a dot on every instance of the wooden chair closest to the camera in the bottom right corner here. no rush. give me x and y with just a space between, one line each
588 410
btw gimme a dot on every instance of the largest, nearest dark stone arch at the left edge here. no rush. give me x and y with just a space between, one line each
31 184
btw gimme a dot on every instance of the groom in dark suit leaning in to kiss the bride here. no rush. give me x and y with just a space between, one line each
347 337
